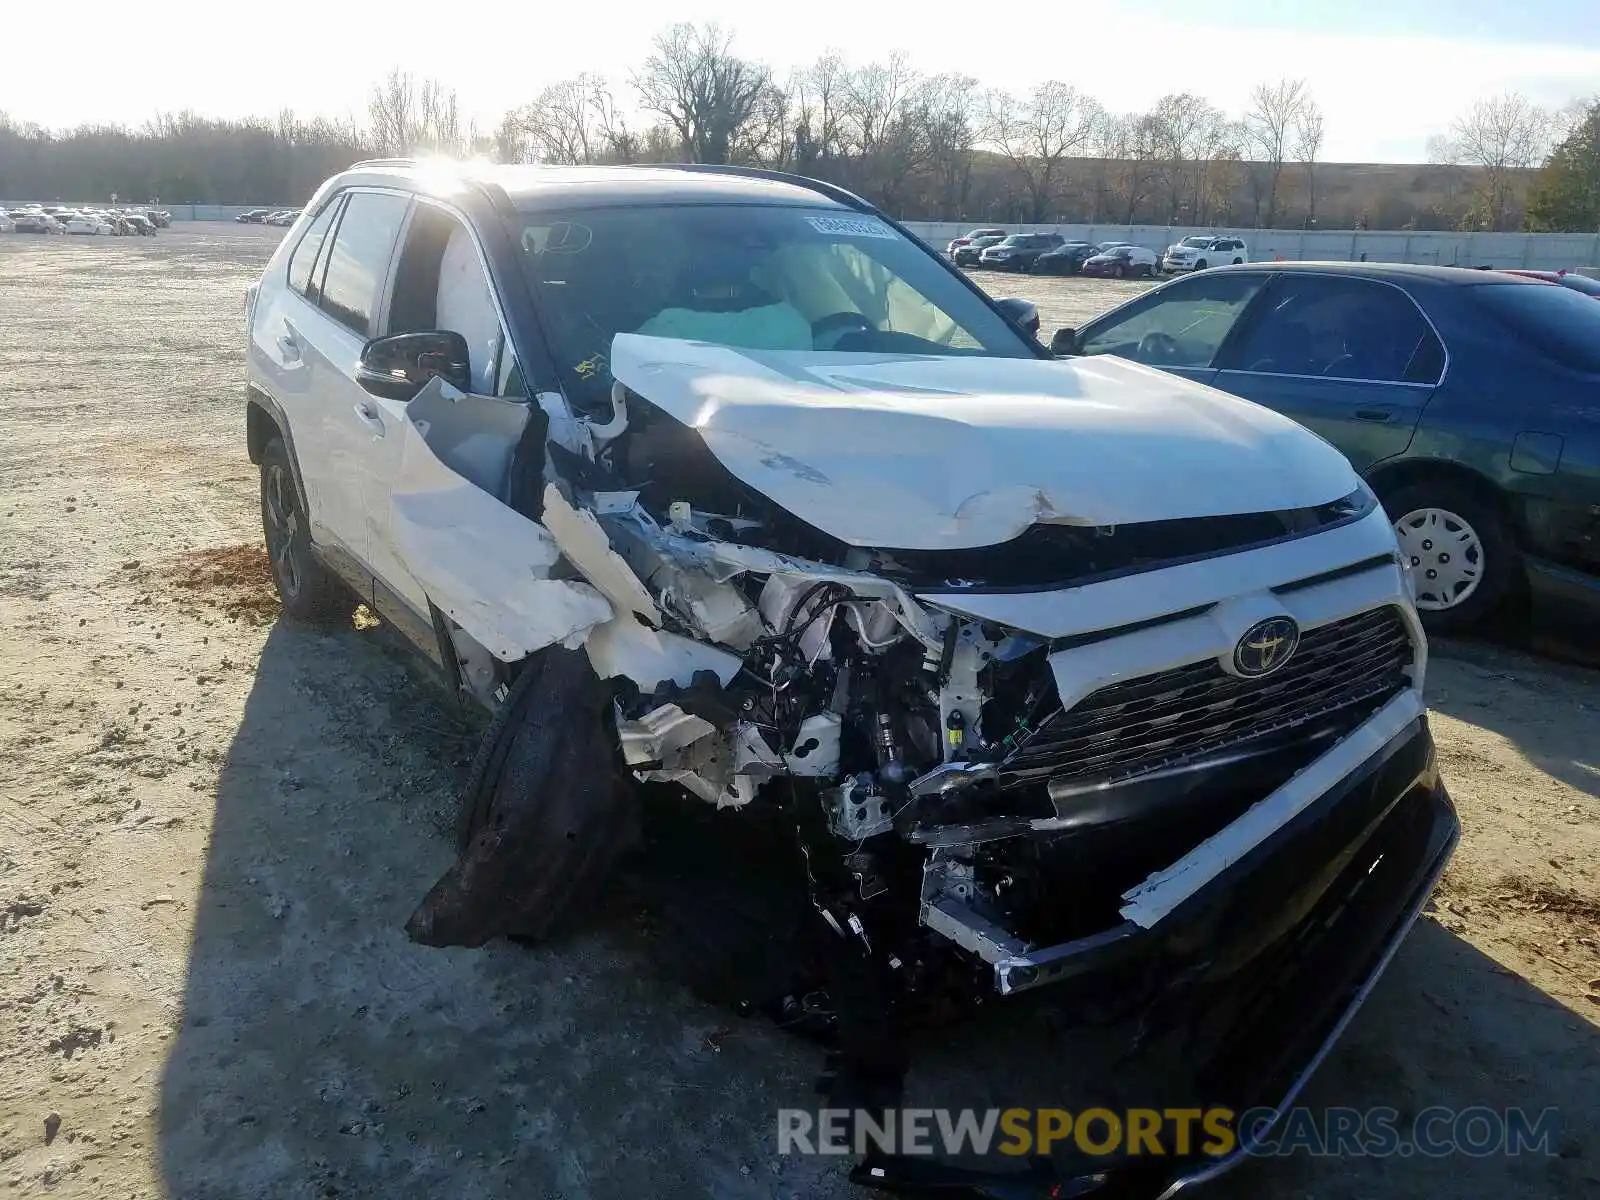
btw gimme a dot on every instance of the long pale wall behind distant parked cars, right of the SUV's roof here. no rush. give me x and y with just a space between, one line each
1543 252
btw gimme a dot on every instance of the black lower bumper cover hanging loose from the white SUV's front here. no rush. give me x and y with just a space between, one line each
1258 975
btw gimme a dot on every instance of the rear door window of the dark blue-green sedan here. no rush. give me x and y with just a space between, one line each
1340 329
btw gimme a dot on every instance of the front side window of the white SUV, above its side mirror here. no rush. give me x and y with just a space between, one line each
439 284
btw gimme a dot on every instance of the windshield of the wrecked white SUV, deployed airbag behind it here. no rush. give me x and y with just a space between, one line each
761 278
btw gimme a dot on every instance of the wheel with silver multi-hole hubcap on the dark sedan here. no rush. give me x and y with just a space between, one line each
1458 550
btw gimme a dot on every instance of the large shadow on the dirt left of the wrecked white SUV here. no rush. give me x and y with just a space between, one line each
321 1054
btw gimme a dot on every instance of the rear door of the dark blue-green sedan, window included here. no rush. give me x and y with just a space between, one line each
1351 359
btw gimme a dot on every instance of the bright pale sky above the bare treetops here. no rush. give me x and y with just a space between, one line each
1388 74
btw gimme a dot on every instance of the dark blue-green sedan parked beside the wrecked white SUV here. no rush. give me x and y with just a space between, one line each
1468 399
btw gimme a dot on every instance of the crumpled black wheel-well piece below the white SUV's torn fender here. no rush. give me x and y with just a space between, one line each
546 815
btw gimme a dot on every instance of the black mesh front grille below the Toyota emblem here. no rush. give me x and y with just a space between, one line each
1346 668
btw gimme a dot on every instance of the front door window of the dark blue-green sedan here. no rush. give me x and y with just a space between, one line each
1180 326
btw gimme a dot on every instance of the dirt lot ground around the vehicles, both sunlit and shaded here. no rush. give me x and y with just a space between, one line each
214 825
